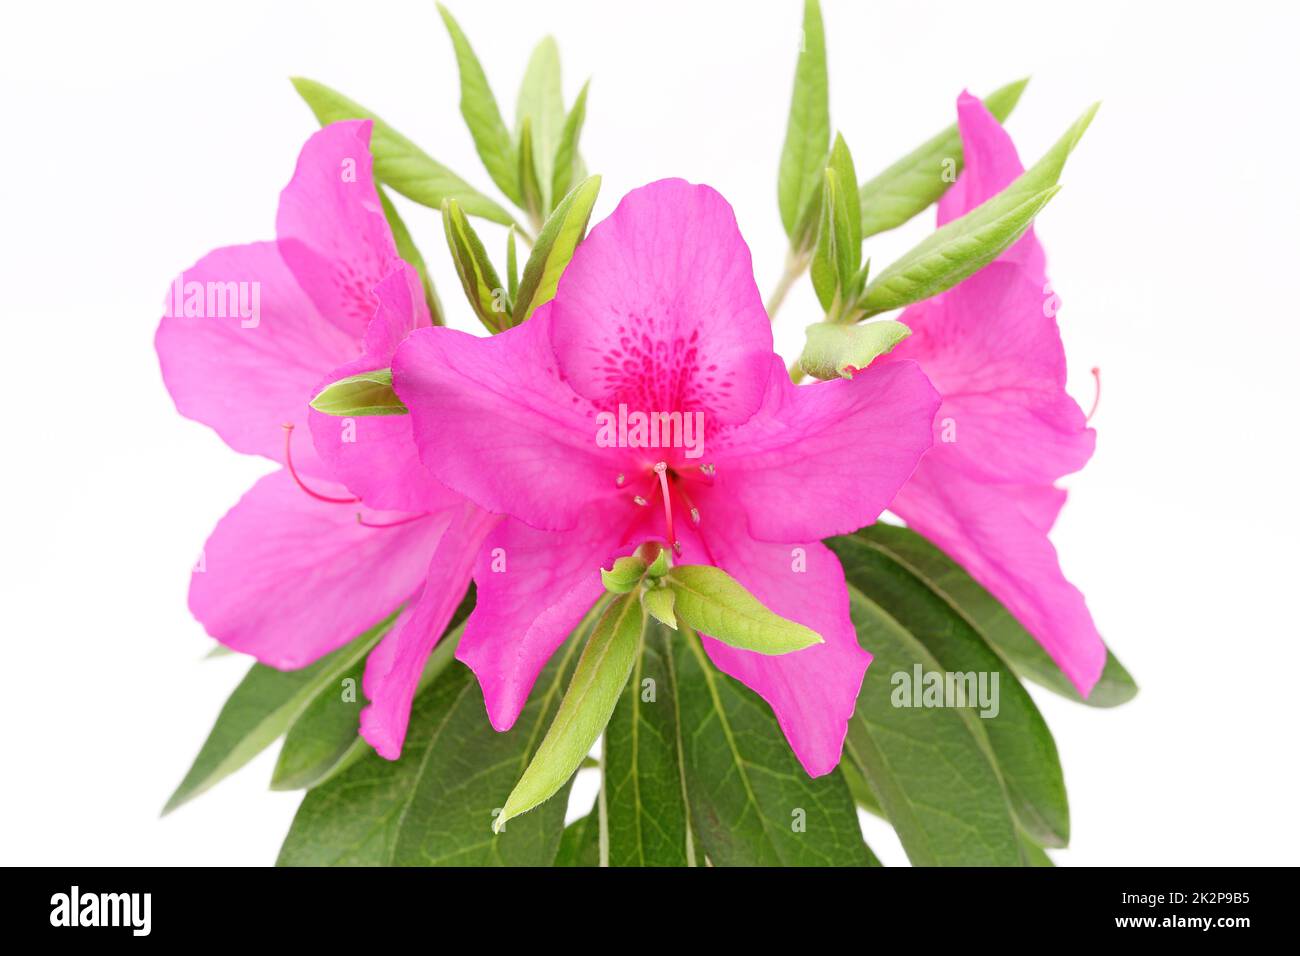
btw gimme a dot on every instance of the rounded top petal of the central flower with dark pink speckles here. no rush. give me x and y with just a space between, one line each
660 310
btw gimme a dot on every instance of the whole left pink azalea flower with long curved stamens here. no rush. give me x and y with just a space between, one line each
296 570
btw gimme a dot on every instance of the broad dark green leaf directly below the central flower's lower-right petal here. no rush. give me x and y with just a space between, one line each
751 802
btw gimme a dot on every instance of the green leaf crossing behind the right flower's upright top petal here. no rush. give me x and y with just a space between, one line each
916 181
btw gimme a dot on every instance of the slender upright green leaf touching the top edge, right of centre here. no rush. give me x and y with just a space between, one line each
808 132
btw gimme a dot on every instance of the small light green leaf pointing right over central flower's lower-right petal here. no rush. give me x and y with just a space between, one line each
712 602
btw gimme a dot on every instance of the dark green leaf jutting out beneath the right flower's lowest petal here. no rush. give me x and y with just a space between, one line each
993 621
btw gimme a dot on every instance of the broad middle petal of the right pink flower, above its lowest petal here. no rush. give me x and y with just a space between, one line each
996 357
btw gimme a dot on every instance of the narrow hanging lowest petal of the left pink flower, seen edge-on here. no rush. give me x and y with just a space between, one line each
395 668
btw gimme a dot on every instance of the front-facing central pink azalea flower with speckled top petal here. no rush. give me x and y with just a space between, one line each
658 313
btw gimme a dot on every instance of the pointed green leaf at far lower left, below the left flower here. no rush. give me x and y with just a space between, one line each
262 708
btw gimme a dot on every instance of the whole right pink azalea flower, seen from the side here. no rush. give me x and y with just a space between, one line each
1007 430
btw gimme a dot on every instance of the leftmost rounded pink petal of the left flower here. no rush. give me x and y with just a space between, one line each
248 378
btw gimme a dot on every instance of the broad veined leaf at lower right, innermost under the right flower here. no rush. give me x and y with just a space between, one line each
930 768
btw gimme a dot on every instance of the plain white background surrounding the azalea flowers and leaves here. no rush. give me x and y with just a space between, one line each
137 137
